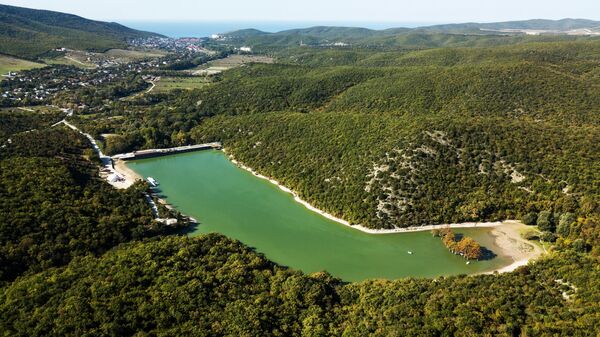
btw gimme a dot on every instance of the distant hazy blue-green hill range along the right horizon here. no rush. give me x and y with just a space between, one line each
450 35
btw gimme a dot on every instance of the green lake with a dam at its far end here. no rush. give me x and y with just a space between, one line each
229 200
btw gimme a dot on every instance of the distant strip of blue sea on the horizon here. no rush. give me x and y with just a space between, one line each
204 29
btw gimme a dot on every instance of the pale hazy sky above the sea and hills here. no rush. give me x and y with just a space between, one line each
320 10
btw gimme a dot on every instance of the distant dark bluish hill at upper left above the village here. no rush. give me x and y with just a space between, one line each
29 33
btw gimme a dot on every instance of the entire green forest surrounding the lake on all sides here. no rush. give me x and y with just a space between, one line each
383 138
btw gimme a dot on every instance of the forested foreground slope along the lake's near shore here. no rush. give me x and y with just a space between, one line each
215 286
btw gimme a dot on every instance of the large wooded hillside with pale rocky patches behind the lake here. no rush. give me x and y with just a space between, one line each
463 127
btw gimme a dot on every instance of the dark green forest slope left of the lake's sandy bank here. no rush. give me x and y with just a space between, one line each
55 207
